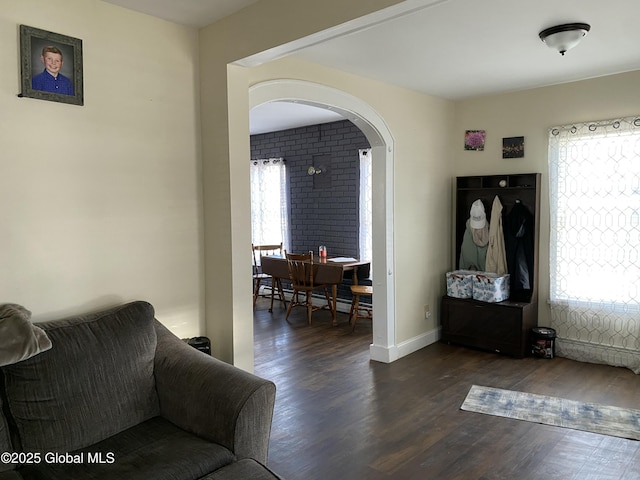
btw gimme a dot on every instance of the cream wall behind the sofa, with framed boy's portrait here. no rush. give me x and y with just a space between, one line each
101 203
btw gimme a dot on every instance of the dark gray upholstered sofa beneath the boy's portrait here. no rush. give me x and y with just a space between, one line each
118 396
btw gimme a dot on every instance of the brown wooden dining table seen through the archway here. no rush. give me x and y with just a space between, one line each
329 271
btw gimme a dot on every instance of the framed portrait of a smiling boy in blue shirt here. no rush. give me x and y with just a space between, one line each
51 66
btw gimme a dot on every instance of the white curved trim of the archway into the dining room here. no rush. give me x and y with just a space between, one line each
384 348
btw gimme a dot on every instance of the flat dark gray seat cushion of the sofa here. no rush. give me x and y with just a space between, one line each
155 449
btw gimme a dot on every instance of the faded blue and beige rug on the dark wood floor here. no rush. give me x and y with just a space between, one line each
559 412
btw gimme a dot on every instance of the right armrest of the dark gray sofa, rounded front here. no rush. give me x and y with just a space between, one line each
213 399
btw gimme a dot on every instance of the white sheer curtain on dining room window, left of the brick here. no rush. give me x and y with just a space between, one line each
269 202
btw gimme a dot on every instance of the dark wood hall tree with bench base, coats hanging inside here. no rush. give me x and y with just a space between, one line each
505 326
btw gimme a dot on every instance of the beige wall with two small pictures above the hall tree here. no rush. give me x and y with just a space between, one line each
530 114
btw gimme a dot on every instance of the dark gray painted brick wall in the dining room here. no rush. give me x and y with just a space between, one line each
324 207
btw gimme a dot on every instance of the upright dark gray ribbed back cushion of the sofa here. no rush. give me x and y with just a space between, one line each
97 380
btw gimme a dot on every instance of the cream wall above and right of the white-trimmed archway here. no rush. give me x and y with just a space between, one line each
419 125
